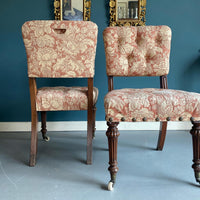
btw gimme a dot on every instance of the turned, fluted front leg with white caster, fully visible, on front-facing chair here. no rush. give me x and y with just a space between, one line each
112 134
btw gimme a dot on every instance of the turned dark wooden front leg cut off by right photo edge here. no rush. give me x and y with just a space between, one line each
195 131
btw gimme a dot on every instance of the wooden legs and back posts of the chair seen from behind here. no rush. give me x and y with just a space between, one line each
91 112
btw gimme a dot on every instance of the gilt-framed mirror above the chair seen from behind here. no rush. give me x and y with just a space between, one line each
73 10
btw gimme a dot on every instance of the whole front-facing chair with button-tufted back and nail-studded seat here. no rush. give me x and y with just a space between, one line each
145 51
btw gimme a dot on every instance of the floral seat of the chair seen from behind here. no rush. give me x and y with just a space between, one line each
63 98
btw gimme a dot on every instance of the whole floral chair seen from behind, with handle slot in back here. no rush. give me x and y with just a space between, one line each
60 49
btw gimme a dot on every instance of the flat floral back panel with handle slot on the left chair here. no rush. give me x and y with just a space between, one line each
60 48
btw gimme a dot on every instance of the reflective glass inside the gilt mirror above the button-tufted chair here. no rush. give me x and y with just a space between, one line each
127 9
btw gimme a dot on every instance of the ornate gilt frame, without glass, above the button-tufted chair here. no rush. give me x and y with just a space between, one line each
127 22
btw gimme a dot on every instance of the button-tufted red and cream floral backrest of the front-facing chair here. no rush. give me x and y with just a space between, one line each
137 51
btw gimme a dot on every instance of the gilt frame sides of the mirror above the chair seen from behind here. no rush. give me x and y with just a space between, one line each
86 10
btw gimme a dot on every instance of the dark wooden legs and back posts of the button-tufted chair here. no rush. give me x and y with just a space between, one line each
113 134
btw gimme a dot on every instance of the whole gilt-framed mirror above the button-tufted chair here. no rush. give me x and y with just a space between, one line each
127 12
